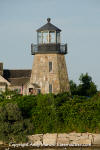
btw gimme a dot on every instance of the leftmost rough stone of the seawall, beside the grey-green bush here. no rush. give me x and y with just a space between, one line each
36 140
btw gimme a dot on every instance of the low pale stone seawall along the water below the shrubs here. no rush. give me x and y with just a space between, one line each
63 139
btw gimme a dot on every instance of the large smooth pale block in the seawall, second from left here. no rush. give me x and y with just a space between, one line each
49 139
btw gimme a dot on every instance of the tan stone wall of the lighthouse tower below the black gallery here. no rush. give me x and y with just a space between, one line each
58 77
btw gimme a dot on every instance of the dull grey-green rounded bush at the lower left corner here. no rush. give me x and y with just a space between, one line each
12 125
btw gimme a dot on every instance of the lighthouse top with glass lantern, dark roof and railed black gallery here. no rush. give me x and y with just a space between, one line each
48 40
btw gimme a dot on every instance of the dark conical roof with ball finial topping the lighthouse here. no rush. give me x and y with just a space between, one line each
49 27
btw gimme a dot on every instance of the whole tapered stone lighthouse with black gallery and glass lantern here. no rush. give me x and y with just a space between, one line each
49 72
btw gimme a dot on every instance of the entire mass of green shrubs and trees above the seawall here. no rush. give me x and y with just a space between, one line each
24 115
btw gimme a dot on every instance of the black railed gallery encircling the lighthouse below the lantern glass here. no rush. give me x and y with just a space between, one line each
48 48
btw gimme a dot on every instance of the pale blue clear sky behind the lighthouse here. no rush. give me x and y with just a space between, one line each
80 24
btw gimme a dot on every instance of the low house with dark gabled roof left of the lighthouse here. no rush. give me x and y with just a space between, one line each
14 79
